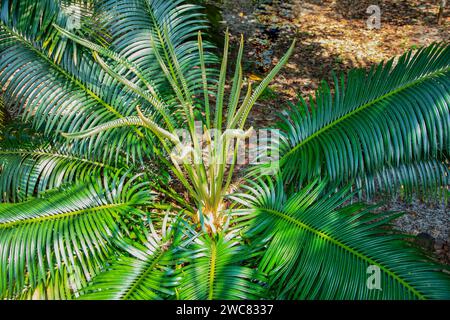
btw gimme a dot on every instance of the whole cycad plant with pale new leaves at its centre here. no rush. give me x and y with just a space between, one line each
118 157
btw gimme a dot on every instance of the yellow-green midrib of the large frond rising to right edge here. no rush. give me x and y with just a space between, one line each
361 108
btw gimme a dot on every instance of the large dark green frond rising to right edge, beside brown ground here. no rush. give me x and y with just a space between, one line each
392 115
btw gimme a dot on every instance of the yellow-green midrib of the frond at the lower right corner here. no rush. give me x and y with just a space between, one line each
352 251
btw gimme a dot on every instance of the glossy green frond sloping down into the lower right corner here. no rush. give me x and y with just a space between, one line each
319 249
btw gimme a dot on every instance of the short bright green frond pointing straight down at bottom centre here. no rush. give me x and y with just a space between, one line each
216 271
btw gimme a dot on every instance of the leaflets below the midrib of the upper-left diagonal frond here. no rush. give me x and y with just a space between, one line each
58 91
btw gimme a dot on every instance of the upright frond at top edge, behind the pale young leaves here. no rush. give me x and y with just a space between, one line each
173 27
